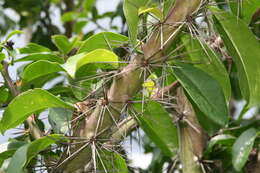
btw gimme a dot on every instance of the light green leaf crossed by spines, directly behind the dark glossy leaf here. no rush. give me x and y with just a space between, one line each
209 62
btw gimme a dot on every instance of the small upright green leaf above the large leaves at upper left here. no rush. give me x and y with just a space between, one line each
62 43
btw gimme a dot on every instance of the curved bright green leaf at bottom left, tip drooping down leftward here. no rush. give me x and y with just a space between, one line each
40 144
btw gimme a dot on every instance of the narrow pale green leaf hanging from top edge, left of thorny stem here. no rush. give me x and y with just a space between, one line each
130 8
